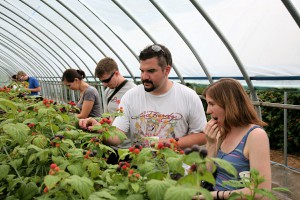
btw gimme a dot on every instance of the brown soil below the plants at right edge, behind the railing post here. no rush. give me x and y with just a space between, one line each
292 160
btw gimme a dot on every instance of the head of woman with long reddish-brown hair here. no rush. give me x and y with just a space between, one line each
230 105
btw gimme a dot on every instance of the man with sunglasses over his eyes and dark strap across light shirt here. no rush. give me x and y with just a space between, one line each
108 73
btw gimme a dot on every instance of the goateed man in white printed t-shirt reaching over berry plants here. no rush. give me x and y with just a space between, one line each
159 107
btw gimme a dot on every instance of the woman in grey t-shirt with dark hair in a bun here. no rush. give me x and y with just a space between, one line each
89 102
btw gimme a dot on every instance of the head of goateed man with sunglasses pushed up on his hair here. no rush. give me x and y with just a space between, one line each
155 65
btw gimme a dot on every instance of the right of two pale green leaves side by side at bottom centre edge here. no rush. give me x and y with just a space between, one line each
180 193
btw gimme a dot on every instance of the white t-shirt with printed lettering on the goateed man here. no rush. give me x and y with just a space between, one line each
173 114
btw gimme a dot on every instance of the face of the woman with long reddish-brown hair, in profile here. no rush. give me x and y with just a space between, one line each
216 112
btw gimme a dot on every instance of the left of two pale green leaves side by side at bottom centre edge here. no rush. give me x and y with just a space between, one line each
156 189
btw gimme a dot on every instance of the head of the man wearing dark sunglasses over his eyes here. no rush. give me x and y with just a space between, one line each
108 73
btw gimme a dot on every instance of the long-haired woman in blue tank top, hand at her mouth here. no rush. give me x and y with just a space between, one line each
235 134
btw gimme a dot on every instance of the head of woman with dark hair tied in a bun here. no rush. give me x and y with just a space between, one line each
72 78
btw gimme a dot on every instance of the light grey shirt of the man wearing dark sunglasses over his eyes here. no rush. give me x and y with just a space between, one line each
113 104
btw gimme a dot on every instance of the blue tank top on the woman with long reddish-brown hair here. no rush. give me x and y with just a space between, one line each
237 159
